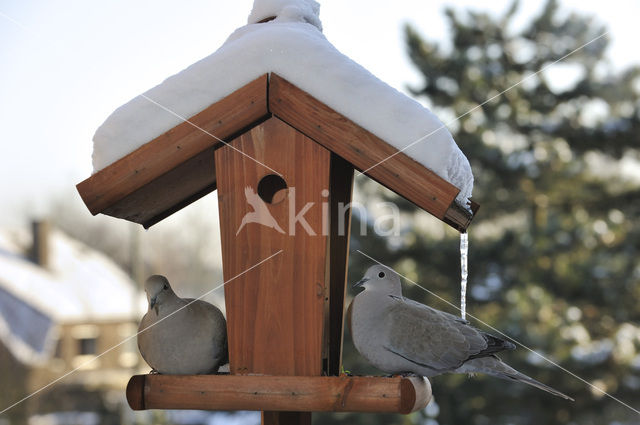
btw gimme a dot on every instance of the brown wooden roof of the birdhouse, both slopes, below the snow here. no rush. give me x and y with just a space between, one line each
177 168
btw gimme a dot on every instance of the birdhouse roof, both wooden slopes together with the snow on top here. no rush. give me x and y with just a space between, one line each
229 92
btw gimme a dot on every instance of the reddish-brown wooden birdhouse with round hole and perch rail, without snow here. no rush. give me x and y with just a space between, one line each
283 165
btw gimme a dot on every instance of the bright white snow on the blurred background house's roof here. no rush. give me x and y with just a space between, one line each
80 285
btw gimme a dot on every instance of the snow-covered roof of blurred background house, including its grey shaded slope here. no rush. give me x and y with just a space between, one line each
79 285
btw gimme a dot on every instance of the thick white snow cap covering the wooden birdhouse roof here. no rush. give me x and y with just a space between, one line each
294 47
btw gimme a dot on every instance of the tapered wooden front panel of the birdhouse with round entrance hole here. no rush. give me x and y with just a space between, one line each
274 310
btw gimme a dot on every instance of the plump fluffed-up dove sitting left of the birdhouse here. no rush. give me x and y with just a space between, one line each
181 336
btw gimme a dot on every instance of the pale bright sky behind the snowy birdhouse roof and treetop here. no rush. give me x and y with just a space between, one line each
66 65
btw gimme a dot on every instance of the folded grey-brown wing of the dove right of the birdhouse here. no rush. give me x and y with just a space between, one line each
435 339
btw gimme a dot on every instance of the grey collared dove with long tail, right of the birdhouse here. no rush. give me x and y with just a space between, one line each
398 335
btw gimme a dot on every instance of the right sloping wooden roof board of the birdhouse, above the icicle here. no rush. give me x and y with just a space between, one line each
342 136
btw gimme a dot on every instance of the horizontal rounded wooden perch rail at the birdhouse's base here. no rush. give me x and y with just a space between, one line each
279 393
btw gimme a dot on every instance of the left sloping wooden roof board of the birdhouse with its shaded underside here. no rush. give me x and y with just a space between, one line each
130 177
